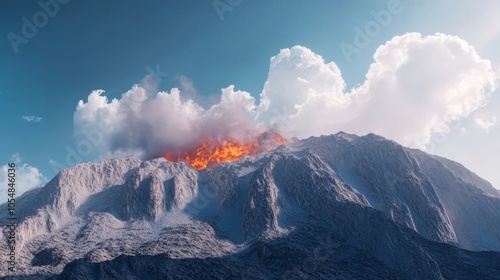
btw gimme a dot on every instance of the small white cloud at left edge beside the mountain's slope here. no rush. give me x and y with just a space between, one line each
26 177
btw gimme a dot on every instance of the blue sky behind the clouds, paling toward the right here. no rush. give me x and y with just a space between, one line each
110 45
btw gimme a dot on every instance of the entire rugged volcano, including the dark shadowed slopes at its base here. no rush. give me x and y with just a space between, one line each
331 207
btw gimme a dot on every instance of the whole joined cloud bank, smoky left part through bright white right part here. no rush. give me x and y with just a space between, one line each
416 87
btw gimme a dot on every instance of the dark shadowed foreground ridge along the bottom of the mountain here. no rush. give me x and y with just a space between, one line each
310 252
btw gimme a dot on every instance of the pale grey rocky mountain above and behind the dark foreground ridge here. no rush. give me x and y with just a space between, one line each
365 190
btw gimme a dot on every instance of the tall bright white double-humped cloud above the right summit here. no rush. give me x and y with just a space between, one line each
416 87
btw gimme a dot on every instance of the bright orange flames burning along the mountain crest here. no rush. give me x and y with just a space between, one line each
212 153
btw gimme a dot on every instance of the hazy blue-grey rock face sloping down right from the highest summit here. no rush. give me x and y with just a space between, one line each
438 198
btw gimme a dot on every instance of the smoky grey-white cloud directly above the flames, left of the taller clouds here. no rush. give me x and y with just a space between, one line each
149 124
